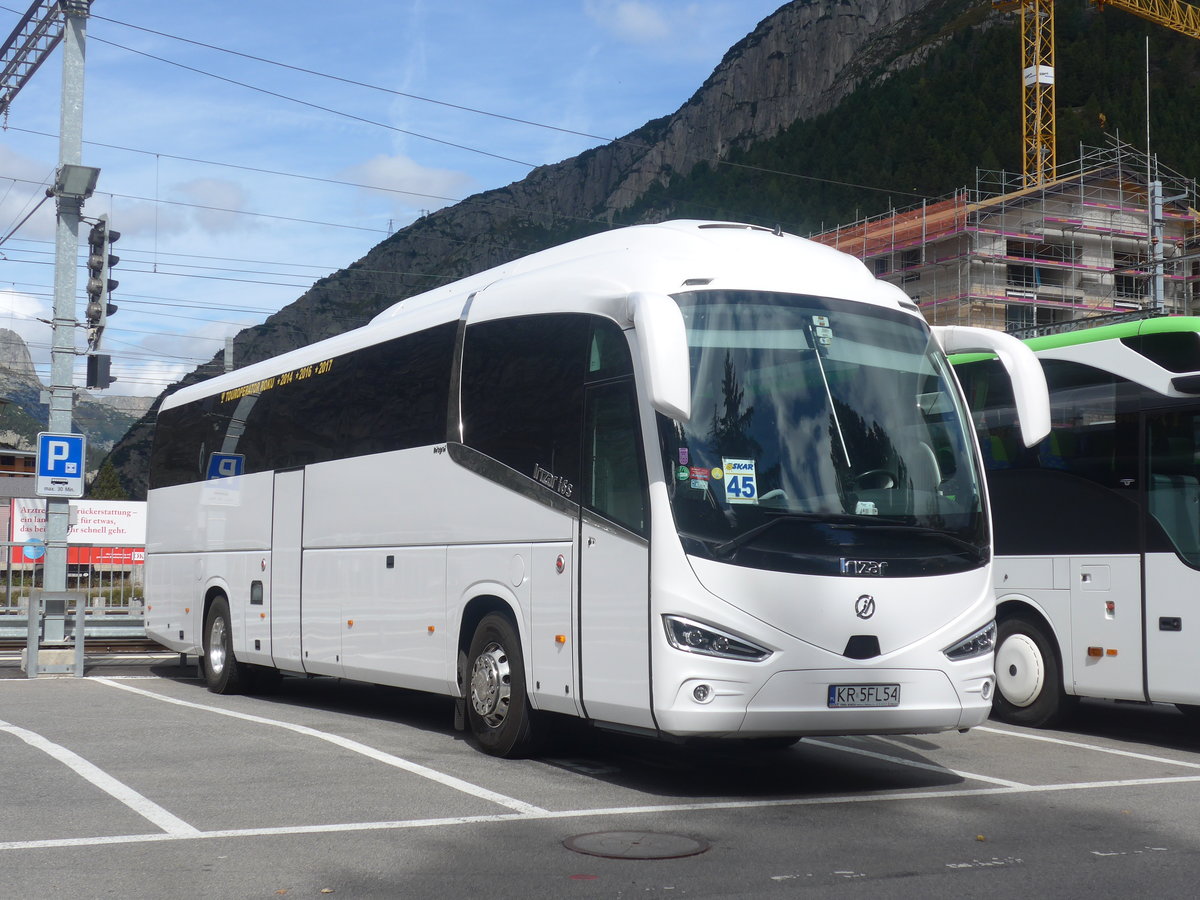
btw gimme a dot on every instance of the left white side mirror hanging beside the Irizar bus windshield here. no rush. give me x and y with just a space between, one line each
663 349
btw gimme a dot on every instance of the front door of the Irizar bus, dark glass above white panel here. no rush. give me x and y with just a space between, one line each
615 649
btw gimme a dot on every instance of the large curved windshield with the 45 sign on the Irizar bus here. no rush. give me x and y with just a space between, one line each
826 437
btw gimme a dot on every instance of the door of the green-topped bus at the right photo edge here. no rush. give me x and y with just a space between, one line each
1173 556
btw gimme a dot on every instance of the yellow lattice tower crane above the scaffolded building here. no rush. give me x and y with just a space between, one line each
1039 161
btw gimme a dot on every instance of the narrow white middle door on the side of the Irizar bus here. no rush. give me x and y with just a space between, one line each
284 599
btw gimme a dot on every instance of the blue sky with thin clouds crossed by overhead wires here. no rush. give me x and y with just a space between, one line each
249 149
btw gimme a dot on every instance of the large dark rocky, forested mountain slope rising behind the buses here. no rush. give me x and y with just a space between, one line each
830 110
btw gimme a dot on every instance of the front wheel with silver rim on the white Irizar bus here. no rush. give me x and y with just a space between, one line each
499 712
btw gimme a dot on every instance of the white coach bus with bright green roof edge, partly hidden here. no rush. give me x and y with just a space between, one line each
1097 529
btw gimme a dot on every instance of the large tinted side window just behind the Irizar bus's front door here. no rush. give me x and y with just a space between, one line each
523 394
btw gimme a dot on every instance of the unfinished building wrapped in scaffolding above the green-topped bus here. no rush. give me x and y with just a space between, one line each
1117 233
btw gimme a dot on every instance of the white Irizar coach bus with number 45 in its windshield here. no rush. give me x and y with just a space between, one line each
683 479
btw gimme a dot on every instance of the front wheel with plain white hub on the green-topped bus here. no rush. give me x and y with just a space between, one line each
1029 677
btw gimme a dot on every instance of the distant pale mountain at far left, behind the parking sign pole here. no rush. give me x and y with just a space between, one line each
103 421
